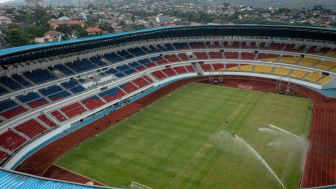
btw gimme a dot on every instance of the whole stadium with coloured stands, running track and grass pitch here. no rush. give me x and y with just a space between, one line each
213 106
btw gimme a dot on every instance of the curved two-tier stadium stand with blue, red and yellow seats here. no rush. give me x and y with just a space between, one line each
60 92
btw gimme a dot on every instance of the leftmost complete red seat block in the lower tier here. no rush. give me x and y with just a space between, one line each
11 141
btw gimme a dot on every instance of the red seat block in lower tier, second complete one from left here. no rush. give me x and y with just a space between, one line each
31 128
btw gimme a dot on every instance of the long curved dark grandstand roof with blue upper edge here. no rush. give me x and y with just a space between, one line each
29 52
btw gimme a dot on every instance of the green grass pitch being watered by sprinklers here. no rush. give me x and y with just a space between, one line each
185 141
